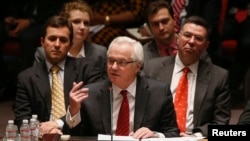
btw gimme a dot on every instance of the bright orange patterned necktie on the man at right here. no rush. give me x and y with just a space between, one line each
180 102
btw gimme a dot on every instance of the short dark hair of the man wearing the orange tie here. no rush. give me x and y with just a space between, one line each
198 21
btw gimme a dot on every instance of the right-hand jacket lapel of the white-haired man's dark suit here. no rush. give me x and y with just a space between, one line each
141 99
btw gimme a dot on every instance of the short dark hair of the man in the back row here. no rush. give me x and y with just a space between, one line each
155 6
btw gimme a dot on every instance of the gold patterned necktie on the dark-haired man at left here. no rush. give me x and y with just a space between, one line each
58 104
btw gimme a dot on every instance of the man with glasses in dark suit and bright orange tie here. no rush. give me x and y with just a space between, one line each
209 99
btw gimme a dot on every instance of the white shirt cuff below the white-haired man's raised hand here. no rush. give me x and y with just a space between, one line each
73 121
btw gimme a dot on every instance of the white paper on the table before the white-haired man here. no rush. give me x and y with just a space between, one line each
102 137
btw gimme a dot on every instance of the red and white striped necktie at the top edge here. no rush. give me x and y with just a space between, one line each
178 5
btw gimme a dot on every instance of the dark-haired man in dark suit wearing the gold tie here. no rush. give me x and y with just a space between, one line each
34 84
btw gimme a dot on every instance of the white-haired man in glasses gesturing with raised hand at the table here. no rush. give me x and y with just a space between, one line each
151 111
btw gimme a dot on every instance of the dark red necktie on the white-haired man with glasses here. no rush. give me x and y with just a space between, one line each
122 128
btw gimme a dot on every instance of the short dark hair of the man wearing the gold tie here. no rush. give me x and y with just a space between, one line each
56 22
